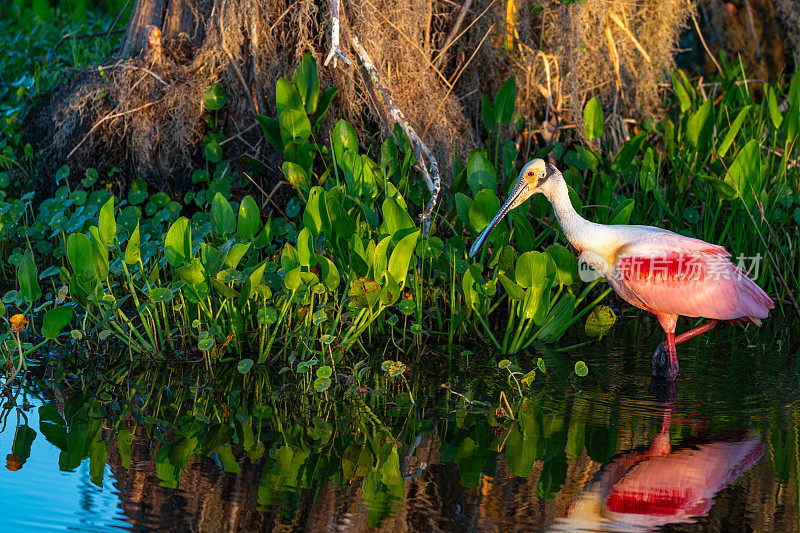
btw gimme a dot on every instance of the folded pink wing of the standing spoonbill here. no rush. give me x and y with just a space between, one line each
676 275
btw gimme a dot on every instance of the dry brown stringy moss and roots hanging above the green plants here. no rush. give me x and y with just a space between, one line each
147 109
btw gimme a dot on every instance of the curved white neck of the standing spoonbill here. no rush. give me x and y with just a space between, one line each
581 233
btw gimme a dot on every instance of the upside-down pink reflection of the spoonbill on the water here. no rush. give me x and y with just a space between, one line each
641 490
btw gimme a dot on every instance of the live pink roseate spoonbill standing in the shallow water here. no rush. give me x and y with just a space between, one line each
651 268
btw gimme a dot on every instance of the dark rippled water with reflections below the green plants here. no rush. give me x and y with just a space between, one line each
609 452
